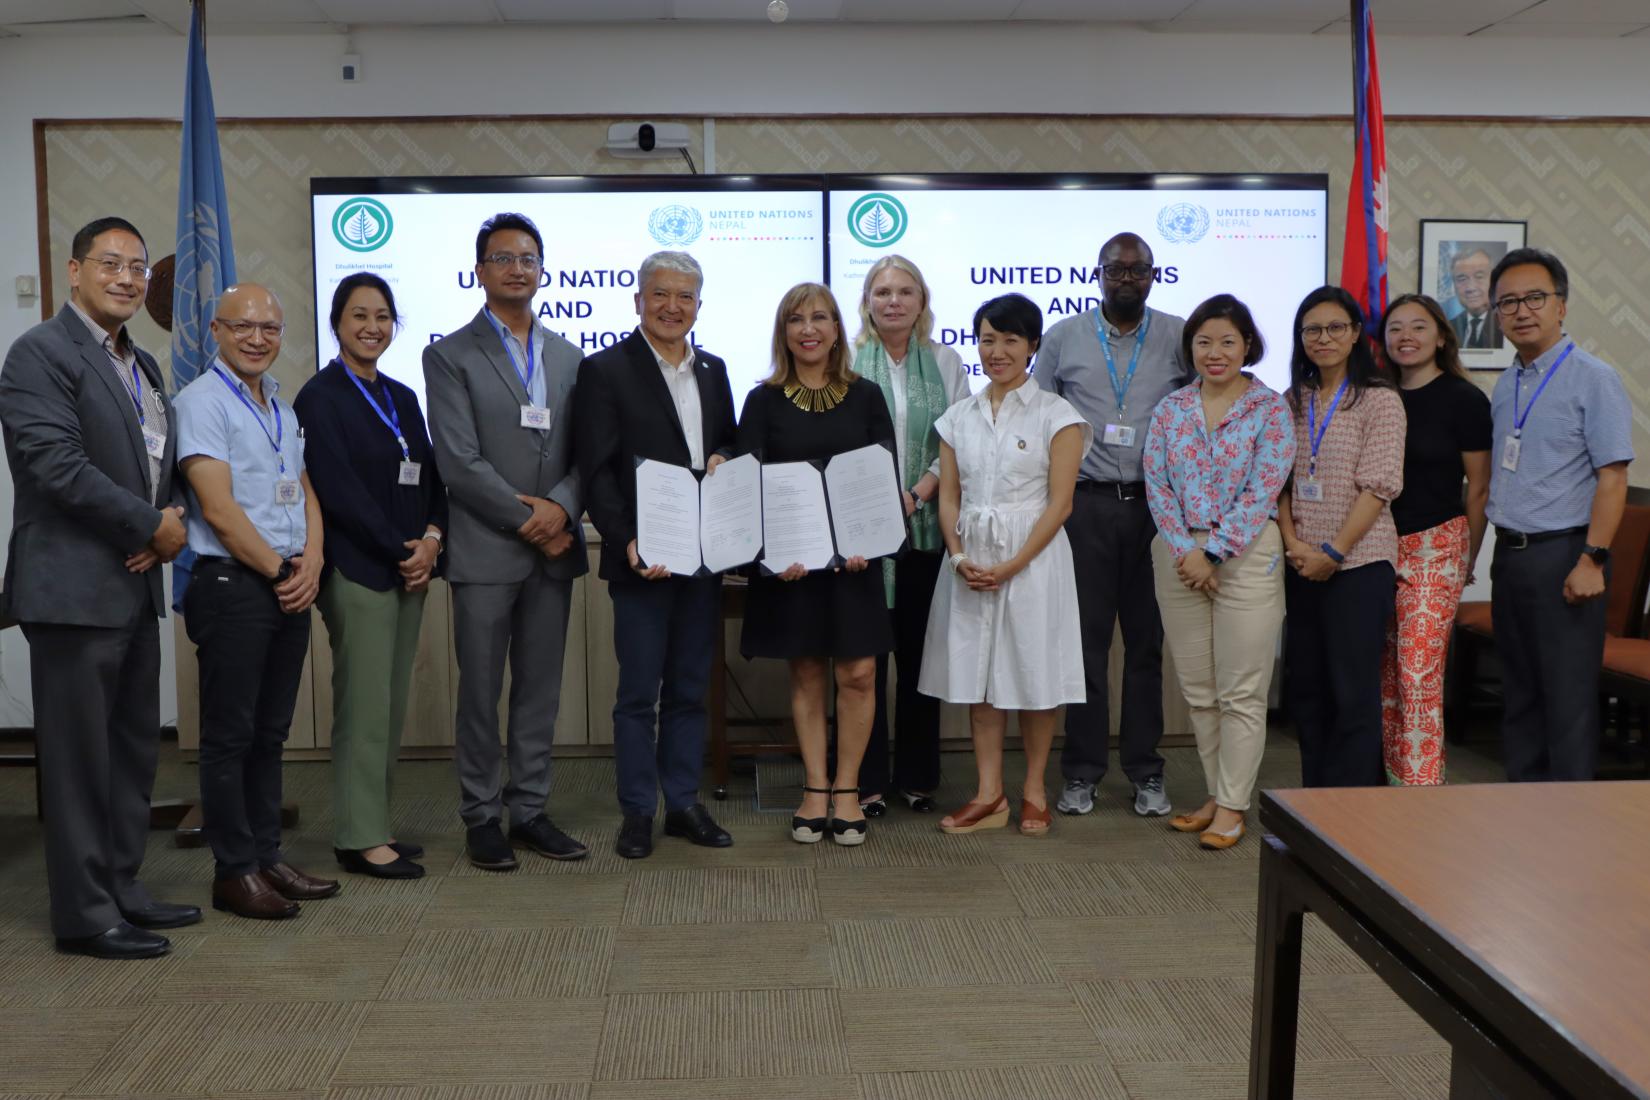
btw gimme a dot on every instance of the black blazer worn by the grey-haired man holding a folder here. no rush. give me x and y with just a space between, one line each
625 411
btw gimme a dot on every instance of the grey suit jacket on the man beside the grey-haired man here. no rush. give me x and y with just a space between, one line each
488 458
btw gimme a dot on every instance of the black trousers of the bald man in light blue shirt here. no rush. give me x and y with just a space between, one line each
252 660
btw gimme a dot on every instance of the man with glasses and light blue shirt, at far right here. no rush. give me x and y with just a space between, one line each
1558 486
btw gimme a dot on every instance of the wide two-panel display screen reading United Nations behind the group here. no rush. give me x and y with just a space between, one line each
973 235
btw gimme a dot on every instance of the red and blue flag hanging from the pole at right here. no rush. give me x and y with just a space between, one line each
1364 258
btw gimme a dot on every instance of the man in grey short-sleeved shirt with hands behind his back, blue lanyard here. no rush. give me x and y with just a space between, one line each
1115 364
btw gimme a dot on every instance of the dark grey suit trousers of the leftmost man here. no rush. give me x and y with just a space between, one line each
97 731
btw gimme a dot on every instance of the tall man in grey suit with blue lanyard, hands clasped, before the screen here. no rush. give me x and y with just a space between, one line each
501 418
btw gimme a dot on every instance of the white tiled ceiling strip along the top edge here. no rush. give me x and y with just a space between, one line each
1527 19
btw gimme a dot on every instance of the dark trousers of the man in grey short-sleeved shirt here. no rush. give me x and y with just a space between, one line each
1111 545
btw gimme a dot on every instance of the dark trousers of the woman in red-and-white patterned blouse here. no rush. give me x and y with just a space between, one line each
1334 642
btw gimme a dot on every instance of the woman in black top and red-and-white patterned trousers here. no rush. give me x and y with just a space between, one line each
1440 532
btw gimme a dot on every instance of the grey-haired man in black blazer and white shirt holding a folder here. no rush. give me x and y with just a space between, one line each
656 397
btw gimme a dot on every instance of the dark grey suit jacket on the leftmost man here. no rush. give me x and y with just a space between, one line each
82 481
